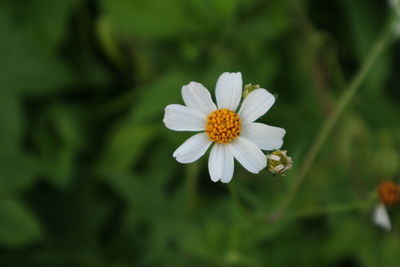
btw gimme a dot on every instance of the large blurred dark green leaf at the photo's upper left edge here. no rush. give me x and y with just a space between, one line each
24 67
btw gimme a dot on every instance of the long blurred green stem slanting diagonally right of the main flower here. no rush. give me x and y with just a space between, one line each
326 129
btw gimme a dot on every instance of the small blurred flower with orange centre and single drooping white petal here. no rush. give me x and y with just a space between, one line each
389 195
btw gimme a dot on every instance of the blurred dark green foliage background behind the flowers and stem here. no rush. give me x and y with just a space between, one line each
87 176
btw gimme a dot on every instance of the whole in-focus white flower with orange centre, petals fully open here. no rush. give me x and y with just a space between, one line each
233 134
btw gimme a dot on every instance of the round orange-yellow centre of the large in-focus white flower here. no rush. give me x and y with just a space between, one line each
223 125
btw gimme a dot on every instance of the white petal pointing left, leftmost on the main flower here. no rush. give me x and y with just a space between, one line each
181 118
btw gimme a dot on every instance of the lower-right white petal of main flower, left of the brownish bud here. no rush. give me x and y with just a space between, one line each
248 154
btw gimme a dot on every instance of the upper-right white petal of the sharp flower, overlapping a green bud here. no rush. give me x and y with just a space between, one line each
256 104
